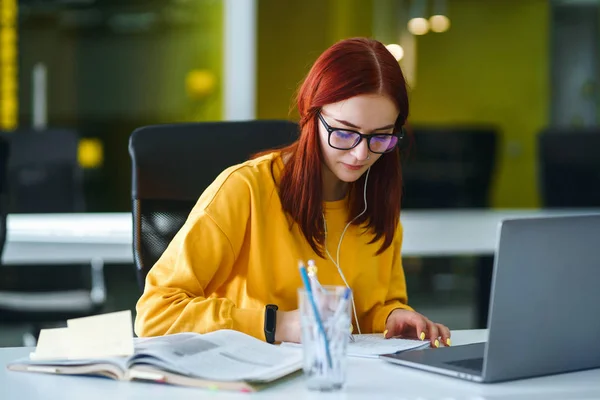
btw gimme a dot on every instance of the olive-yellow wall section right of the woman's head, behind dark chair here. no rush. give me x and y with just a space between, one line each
492 66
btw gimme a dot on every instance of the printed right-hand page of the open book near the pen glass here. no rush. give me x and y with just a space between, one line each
223 355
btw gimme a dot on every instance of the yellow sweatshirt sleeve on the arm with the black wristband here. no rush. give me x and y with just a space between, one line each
198 261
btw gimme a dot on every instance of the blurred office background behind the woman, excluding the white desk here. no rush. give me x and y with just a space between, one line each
488 79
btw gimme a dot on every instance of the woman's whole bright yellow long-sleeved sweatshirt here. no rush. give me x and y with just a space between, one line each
236 253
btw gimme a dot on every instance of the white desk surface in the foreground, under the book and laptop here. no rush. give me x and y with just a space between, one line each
366 377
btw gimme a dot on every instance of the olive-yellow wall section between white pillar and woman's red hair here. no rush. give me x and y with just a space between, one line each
291 35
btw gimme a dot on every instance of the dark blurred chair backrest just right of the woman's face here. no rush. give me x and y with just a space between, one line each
450 167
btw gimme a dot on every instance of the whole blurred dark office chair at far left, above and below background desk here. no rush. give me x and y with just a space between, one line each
44 177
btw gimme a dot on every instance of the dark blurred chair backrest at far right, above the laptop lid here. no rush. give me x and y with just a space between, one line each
569 167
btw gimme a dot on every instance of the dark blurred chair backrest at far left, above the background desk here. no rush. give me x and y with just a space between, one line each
44 175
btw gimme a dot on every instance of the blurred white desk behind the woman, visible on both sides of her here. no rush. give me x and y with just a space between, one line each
64 238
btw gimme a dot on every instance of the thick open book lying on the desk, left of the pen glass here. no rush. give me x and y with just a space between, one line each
223 359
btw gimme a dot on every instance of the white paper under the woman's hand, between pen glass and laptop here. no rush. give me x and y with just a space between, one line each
372 345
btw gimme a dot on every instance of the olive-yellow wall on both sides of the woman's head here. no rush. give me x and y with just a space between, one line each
491 67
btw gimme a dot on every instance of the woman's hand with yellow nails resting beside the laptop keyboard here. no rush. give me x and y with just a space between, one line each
411 324
